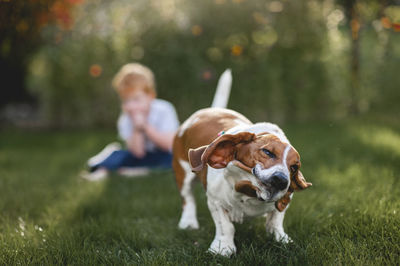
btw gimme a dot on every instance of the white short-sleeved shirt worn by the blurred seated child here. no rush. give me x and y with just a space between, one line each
162 116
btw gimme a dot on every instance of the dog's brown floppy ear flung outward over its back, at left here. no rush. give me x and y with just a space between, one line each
219 152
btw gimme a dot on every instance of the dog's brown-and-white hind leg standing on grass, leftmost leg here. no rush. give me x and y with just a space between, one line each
185 178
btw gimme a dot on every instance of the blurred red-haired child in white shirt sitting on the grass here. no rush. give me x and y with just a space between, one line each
146 124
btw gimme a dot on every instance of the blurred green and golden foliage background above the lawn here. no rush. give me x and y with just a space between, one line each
320 60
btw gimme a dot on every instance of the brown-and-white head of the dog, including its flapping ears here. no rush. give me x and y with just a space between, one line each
274 163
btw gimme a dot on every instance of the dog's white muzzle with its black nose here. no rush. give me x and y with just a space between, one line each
275 179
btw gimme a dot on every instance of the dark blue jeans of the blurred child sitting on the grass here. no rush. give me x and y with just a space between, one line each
124 158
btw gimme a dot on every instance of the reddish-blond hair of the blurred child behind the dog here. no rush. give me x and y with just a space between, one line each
134 76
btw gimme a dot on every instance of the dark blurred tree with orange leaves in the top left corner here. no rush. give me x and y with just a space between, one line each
20 35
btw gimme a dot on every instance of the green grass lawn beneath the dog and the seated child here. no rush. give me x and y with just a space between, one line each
49 216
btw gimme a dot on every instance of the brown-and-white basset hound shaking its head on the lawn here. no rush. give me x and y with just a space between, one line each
246 169
